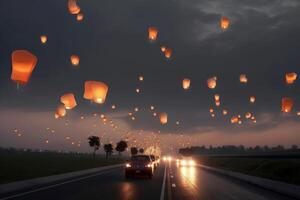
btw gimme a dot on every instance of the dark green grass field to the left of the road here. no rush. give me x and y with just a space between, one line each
21 165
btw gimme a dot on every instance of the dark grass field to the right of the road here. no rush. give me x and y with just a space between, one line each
286 170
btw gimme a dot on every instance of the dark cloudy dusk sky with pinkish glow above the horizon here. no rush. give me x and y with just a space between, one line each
262 42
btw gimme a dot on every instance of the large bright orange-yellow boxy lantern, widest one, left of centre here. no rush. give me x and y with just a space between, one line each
95 91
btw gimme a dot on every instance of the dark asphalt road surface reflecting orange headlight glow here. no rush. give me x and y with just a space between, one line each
184 183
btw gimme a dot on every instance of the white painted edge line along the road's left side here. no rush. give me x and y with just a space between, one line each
55 185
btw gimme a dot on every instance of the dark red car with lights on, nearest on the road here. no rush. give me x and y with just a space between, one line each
139 165
